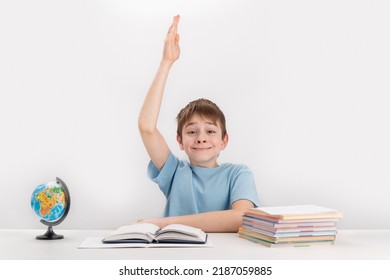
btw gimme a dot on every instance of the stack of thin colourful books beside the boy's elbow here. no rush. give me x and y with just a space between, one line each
298 225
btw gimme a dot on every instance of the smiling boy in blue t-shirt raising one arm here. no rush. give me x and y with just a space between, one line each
200 193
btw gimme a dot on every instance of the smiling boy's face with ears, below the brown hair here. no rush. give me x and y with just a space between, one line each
202 141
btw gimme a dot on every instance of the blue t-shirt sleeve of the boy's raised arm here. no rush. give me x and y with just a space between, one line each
164 176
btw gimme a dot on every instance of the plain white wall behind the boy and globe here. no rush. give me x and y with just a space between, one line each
304 85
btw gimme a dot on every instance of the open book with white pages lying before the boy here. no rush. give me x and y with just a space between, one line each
150 233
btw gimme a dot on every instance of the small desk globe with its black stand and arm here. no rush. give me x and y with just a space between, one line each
51 202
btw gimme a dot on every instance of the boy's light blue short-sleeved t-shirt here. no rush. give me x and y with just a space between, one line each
193 189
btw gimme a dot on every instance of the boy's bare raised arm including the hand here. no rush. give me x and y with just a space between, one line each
154 142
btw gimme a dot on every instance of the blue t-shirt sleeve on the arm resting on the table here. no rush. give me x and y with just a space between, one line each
244 187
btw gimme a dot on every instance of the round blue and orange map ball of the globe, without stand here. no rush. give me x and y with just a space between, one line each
48 201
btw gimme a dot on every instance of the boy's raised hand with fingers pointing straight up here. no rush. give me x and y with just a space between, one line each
171 47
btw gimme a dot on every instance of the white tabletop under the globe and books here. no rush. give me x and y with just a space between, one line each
350 245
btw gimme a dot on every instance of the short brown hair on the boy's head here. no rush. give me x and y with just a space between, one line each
202 107
